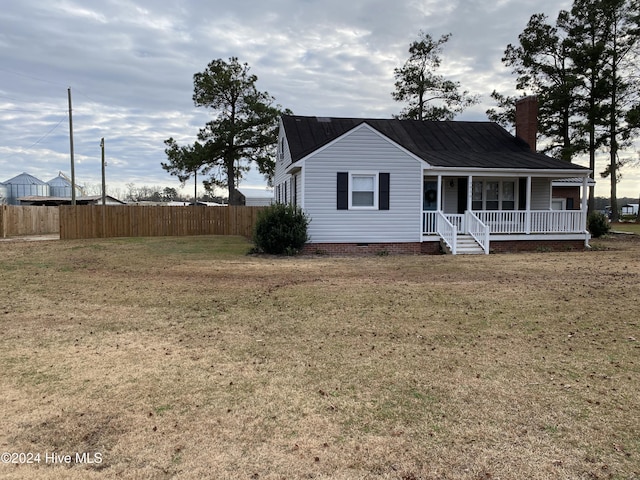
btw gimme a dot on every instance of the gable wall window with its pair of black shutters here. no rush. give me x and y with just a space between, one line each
362 191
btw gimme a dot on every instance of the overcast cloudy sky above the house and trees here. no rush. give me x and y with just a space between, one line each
130 67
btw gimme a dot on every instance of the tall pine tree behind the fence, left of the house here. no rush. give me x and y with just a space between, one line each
243 132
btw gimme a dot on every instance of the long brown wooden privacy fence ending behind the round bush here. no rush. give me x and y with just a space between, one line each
96 221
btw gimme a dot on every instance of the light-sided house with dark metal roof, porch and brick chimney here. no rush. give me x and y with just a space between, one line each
388 185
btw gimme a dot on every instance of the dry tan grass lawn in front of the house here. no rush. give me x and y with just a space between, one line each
185 358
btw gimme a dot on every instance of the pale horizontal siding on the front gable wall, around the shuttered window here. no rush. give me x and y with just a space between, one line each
362 150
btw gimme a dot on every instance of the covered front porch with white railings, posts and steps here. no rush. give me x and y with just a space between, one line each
466 213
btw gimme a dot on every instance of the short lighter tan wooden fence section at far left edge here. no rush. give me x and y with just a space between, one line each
18 220
